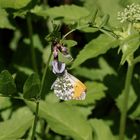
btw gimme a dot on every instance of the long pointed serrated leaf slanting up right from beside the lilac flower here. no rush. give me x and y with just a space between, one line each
94 48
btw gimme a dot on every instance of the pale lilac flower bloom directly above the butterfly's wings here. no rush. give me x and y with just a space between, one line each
58 67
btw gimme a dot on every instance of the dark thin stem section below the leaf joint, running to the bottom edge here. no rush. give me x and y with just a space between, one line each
35 120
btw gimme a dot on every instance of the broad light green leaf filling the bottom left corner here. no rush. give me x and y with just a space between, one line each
16 127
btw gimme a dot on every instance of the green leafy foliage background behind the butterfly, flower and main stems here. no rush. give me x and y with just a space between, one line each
24 25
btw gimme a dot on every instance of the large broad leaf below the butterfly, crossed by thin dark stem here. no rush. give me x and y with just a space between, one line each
64 119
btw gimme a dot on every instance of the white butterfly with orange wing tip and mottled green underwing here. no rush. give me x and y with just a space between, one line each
68 87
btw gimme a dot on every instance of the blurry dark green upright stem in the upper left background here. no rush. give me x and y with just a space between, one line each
30 30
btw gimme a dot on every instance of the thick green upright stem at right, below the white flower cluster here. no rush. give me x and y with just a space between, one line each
125 102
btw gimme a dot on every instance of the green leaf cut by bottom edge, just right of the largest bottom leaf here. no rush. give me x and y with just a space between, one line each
101 130
